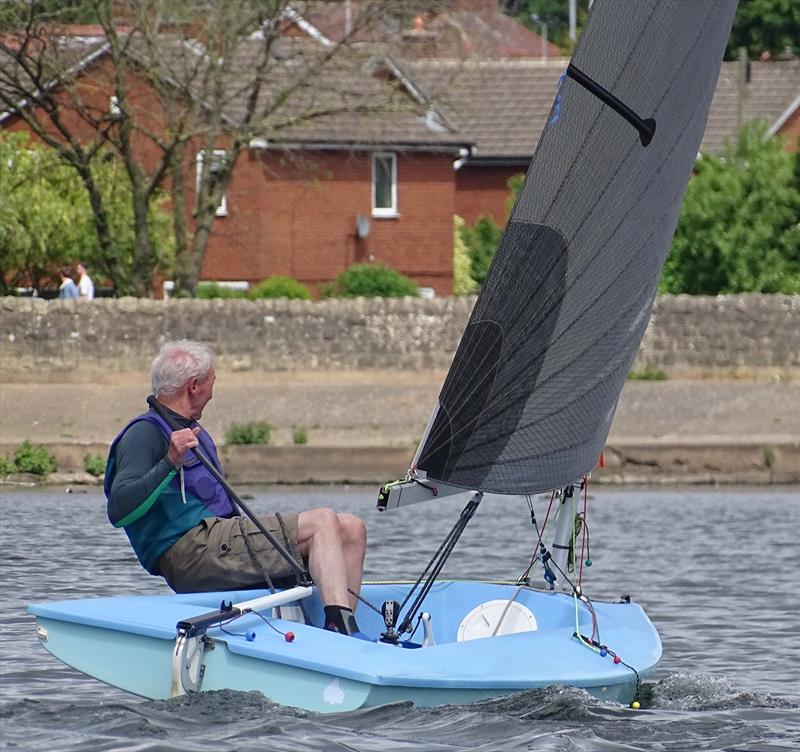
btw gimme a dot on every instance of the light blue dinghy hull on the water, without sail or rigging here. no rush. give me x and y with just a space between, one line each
128 642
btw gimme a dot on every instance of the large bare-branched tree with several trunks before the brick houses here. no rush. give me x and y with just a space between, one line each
220 74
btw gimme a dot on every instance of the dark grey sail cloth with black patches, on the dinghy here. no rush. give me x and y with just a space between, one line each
529 399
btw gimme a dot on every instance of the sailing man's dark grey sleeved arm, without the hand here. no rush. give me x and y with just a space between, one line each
142 471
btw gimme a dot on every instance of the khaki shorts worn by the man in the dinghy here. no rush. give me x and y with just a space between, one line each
215 556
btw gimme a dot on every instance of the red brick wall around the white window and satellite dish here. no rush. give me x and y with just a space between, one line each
295 214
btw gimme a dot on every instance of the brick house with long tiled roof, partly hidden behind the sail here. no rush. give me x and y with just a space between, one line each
503 105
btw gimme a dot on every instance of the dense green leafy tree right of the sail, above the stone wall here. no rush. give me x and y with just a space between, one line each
738 229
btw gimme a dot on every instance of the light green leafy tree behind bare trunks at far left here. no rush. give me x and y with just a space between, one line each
47 222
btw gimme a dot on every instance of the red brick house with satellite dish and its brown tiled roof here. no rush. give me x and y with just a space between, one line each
315 198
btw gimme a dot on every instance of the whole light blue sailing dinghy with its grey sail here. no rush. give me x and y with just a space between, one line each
525 410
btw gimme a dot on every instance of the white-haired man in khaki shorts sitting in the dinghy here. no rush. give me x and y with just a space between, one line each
181 522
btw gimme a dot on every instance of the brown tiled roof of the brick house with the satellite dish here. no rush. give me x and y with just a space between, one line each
353 102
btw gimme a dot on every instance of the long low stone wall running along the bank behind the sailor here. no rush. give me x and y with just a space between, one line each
41 340
